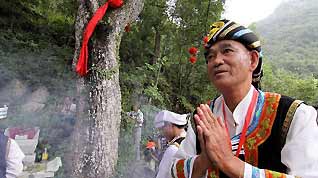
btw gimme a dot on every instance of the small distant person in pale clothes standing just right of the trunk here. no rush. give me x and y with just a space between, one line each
138 116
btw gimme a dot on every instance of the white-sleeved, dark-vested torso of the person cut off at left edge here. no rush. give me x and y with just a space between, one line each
11 158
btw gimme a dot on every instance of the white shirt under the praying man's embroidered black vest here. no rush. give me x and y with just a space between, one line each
299 153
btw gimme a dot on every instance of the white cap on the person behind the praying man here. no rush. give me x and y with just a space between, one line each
168 116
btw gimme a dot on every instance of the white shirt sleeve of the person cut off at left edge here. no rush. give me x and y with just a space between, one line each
14 160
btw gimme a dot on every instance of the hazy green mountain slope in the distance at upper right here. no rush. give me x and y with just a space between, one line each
289 36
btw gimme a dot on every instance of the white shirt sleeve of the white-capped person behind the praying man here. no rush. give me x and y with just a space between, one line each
166 161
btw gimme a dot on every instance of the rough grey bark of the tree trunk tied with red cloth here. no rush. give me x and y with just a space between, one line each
95 137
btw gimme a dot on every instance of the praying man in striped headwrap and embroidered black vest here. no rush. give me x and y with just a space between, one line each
246 132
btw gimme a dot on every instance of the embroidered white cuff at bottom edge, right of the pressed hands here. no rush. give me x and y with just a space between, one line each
254 172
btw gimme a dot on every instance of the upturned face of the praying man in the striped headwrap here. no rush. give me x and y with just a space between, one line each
229 64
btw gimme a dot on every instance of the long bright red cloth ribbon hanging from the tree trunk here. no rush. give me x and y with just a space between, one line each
81 66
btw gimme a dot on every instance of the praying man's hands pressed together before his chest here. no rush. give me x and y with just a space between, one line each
216 149
